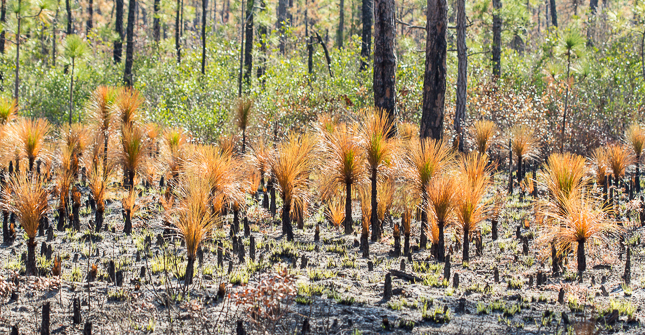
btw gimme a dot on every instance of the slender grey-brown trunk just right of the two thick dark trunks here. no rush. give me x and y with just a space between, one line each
462 72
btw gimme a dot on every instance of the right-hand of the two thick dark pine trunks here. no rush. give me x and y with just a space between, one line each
434 82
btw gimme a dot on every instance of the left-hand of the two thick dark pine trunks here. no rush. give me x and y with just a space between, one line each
384 58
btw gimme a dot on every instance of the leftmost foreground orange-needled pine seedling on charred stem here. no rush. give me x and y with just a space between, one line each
26 197
